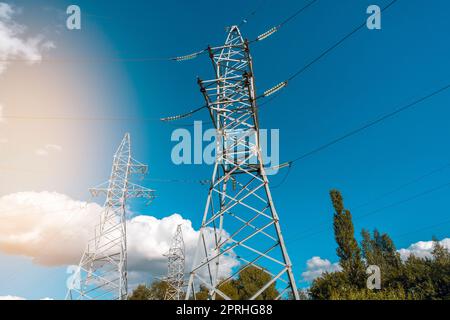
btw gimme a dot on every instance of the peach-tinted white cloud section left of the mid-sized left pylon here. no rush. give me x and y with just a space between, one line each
50 228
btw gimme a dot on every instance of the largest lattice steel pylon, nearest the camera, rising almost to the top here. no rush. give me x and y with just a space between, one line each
240 221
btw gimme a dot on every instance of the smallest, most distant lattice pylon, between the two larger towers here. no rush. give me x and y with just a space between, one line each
175 270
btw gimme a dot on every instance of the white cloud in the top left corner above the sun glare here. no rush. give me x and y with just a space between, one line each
14 44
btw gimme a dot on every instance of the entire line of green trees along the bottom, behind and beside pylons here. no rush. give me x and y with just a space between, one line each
411 279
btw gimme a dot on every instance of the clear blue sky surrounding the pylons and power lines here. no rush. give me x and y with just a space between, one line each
370 74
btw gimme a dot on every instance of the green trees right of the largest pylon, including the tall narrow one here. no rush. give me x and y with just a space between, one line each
413 279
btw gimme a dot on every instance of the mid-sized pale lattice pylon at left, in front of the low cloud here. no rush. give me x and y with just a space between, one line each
102 272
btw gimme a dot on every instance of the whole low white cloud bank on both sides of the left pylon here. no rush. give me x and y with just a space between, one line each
53 229
